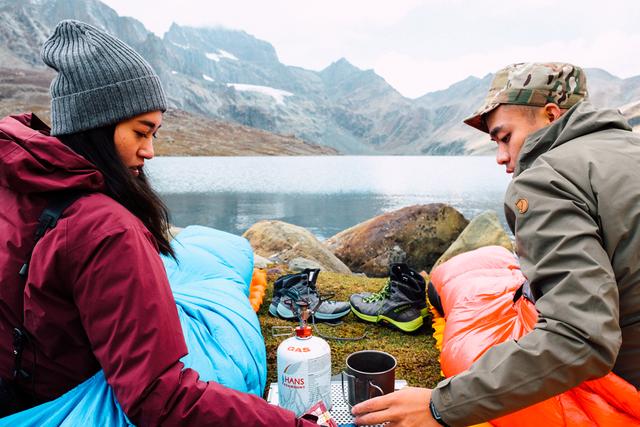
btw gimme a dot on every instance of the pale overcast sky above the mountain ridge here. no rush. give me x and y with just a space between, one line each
419 46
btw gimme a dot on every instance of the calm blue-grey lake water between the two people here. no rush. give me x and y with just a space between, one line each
324 194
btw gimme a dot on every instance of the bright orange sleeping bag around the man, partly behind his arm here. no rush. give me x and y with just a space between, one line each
476 292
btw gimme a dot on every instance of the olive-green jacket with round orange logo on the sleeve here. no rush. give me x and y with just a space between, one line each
574 207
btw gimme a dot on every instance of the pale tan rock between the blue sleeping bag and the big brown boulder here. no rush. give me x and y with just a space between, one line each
283 242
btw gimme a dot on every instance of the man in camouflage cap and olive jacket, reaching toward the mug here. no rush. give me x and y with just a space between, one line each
573 207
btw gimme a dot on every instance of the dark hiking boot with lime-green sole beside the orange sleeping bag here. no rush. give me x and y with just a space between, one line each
401 301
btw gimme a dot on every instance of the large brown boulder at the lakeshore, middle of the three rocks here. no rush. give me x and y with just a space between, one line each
417 235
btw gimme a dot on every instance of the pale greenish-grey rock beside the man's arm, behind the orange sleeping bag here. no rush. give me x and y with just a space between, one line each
483 230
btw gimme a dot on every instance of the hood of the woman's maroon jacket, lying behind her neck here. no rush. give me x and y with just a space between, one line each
32 161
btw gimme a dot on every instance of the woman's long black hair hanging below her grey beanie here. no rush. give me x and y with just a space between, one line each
134 193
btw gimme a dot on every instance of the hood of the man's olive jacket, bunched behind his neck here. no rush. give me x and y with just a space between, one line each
582 119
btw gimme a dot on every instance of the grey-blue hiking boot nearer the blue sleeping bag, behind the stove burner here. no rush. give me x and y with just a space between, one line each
302 286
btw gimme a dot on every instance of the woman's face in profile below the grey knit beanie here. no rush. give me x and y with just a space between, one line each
134 139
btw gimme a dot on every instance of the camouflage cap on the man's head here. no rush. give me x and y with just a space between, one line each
534 84
